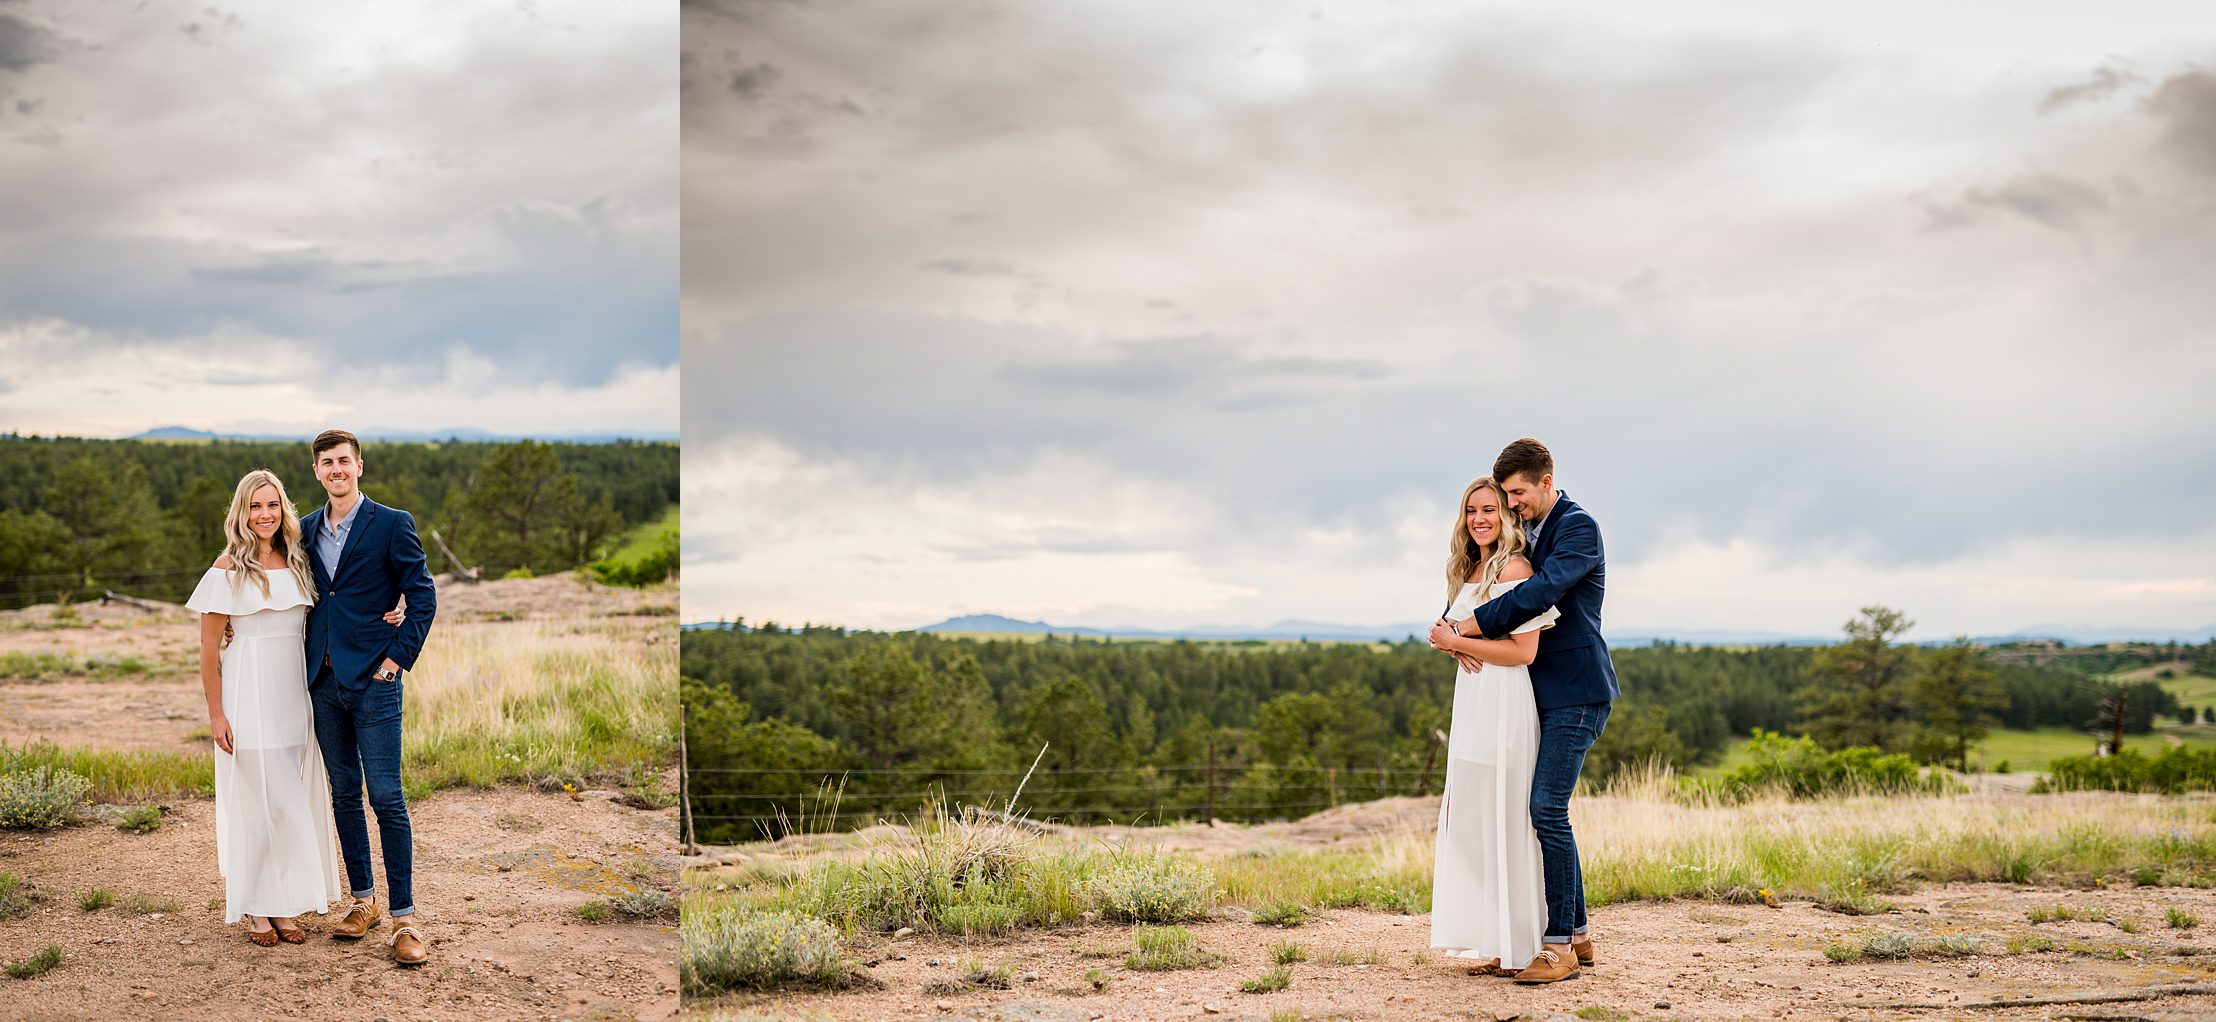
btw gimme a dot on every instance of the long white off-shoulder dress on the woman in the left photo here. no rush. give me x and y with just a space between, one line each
274 839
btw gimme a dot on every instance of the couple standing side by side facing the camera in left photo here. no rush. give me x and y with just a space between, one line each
309 688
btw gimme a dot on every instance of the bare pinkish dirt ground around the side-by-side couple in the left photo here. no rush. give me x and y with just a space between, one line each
500 875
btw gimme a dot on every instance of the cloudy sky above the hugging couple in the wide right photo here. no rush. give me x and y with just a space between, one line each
1204 314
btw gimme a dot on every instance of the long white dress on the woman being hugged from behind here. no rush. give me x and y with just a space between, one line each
1488 890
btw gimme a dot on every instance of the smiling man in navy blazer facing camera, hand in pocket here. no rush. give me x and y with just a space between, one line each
365 558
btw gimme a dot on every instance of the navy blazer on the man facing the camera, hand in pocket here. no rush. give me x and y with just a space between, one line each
380 562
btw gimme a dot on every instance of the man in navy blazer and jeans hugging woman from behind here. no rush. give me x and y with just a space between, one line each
1572 682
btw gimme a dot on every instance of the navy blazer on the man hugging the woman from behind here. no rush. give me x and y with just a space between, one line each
1570 575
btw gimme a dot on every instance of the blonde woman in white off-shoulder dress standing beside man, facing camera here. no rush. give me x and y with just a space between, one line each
274 839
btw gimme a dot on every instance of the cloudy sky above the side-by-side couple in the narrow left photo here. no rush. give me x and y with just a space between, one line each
274 216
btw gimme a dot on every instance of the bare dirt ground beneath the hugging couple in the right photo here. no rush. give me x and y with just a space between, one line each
1654 963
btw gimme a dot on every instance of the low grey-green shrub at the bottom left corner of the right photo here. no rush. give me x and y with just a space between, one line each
730 948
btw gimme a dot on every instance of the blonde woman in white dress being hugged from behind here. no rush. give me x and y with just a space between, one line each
1488 890
